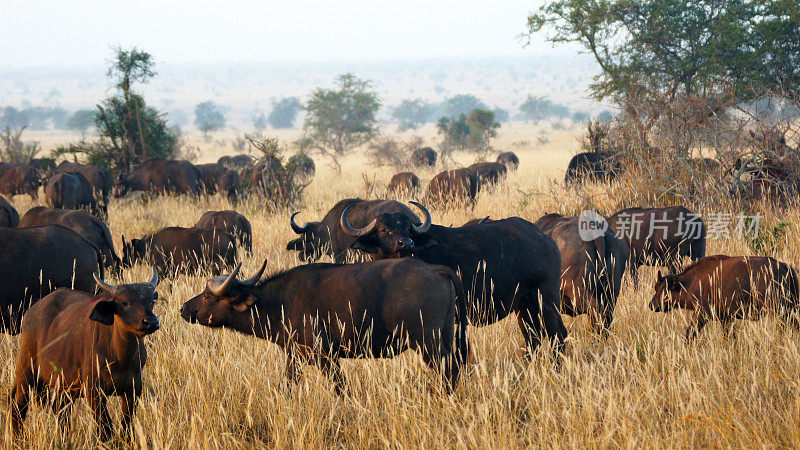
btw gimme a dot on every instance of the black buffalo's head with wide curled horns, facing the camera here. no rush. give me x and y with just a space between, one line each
390 235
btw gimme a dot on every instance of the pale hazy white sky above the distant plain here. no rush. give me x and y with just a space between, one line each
80 32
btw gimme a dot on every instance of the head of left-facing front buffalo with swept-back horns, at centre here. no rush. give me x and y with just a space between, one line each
226 301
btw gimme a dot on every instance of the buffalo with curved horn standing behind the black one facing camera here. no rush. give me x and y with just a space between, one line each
328 238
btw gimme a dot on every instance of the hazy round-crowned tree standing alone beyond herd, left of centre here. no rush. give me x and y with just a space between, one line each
342 118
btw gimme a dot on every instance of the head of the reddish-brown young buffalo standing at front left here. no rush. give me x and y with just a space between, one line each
129 305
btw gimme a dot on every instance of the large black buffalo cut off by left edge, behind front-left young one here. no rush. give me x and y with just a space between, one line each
36 261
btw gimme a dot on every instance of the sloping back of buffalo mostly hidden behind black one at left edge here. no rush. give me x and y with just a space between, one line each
88 226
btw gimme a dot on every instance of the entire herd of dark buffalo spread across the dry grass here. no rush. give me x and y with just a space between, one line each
80 336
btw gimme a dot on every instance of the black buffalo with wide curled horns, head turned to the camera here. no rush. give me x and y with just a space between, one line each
507 265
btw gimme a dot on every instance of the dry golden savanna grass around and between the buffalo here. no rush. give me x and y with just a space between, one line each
641 386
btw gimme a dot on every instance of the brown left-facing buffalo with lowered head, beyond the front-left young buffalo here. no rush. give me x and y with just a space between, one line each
174 250
